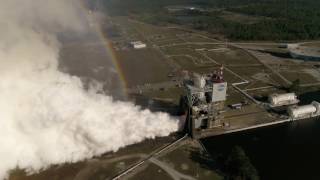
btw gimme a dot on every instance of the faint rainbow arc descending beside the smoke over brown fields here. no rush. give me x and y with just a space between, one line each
109 51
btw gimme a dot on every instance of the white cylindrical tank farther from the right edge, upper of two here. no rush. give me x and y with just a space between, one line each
277 100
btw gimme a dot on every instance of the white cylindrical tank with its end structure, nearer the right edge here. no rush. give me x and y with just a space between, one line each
305 111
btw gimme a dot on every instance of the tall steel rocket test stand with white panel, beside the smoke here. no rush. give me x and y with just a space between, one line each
206 96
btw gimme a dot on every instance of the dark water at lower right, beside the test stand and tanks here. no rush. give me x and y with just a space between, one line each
281 152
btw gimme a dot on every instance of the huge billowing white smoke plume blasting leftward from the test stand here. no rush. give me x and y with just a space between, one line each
46 116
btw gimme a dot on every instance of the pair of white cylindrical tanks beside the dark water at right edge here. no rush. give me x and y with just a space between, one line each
291 100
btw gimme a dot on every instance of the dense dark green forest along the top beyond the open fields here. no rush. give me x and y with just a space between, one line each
277 19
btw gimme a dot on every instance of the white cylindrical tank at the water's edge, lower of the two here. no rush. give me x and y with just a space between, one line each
302 111
